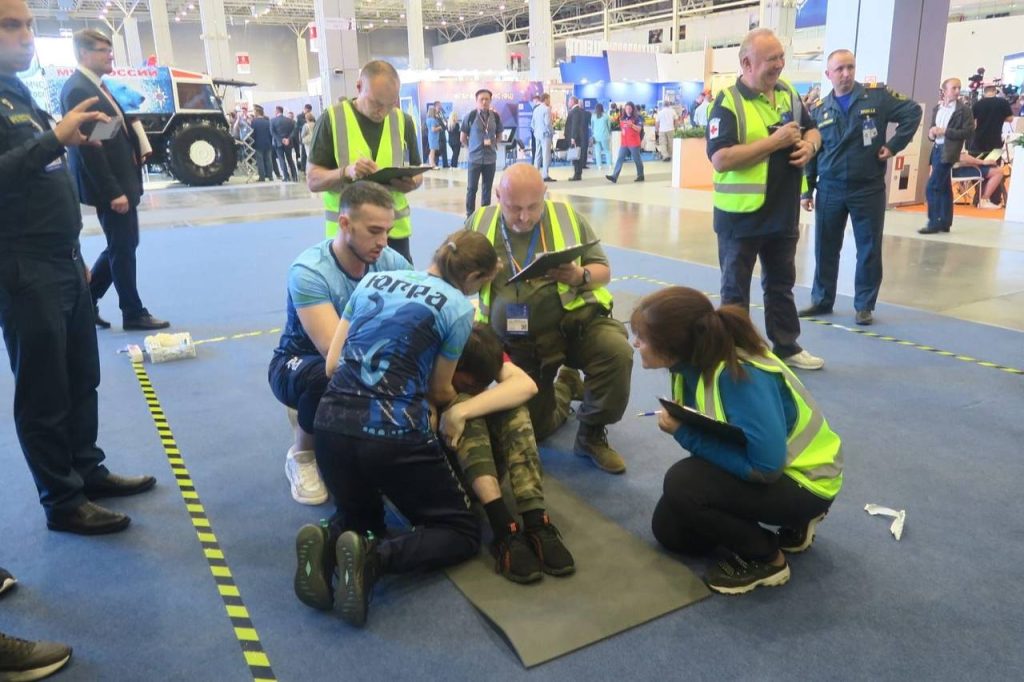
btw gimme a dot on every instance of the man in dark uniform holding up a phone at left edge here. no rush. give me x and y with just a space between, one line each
46 307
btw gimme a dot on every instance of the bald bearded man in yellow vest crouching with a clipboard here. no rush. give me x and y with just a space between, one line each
560 320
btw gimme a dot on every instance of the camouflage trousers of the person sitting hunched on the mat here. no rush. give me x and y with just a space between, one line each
503 444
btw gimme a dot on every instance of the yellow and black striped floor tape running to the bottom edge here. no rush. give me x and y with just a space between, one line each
257 659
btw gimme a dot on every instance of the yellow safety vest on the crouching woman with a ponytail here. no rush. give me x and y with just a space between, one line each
814 457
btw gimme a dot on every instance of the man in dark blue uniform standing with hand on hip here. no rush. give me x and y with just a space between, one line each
849 175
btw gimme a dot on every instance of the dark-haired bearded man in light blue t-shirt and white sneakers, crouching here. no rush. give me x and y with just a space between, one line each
320 283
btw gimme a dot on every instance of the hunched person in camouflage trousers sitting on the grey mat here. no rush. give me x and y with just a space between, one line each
489 430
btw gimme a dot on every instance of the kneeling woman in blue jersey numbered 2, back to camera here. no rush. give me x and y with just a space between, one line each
395 354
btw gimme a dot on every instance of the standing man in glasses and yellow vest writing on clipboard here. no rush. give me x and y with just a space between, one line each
360 137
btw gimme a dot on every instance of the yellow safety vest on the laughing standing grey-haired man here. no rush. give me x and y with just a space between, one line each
743 190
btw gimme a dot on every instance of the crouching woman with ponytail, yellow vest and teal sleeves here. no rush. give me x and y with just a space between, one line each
787 475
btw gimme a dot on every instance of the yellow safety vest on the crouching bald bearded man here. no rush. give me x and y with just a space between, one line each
563 231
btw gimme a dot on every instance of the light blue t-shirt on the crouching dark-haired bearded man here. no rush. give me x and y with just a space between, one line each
317 277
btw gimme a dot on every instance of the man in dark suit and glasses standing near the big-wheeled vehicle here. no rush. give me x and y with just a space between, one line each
110 178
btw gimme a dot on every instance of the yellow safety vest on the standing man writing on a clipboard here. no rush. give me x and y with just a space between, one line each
350 147
